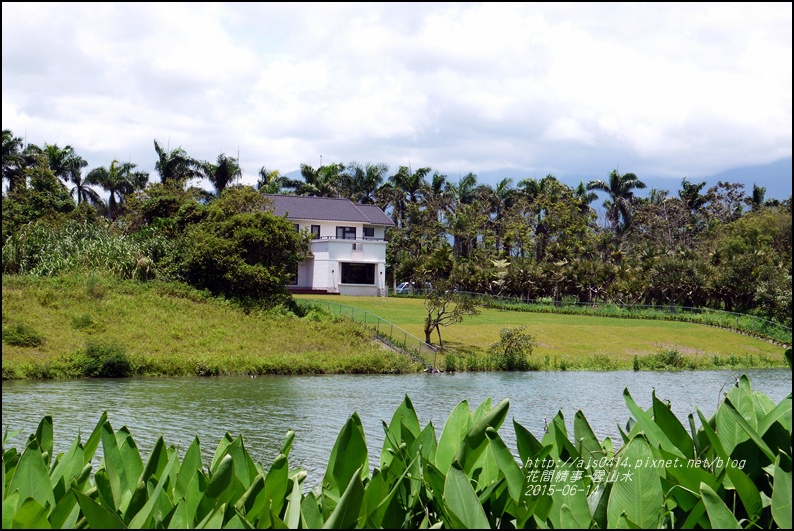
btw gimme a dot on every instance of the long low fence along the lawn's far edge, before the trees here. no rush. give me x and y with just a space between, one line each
739 322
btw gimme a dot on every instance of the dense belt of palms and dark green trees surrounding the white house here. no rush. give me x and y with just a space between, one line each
719 248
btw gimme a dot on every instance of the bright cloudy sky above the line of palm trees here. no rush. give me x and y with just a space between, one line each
497 89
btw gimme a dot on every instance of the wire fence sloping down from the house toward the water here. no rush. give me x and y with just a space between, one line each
385 331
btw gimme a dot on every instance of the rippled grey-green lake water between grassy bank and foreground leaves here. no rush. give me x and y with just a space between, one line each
316 407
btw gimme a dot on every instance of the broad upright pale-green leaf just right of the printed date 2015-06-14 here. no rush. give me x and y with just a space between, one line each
637 492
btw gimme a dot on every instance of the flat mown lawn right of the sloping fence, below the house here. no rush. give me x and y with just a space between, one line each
578 342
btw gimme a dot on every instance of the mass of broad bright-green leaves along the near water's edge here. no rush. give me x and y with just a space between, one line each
732 471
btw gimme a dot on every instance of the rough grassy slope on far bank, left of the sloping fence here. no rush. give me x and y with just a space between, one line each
90 325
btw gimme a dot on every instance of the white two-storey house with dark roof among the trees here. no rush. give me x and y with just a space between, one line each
348 244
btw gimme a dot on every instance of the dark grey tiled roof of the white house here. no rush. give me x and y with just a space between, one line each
299 207
